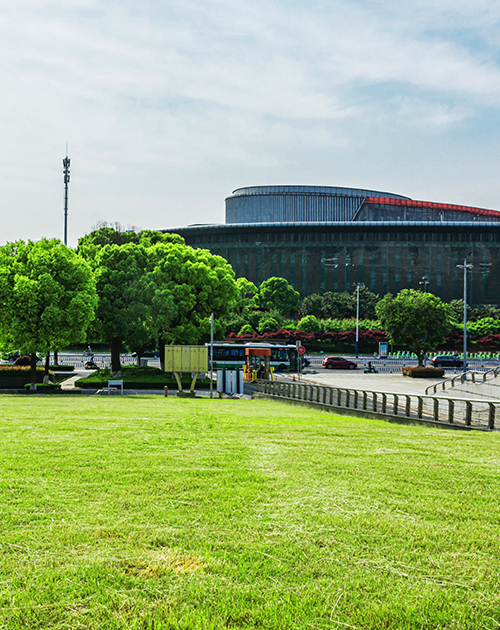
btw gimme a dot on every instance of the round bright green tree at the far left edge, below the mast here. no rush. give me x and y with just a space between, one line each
47 297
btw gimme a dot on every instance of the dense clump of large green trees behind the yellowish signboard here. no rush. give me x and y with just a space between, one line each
154 287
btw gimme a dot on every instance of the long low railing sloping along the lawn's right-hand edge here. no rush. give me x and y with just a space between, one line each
459 412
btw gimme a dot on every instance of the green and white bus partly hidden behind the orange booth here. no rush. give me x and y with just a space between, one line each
284 358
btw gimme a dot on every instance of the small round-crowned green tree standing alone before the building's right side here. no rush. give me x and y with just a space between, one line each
414 319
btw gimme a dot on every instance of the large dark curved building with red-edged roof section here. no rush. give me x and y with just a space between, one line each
327 239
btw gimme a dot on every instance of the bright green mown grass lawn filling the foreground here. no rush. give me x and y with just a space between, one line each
147 512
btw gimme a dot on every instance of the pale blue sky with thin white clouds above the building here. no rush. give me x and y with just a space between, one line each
167 106
